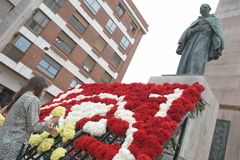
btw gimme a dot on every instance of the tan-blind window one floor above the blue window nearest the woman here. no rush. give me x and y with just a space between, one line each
65 42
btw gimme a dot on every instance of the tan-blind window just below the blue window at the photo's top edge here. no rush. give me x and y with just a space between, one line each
79 22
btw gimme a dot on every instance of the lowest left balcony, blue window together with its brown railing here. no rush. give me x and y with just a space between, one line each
17 48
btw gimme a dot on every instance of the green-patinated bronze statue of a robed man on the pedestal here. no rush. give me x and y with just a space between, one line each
201 42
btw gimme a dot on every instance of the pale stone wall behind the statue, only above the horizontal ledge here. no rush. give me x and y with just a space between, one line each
223 75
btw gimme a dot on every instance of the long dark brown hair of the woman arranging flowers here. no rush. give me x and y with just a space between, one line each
35 84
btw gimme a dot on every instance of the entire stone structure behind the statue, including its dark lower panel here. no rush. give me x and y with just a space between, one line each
223 77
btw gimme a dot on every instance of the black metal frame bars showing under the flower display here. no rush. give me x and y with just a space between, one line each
108 138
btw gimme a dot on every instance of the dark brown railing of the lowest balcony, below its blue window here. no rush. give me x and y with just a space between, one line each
13 53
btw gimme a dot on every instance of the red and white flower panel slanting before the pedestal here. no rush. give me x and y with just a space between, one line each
147 114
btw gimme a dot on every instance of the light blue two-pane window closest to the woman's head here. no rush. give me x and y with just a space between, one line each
49 66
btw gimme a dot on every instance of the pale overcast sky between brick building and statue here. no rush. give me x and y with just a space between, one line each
155 55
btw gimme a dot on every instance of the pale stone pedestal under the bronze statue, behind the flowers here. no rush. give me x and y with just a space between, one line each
198 138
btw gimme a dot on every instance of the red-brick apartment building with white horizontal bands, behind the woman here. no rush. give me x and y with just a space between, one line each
67 41
